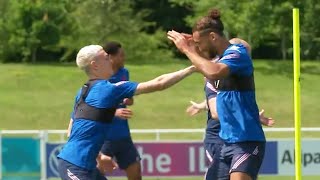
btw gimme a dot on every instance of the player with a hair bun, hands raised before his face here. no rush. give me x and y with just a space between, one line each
241 131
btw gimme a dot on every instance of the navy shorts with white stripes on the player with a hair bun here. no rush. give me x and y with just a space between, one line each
243 157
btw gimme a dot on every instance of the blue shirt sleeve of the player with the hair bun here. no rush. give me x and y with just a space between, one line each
234 61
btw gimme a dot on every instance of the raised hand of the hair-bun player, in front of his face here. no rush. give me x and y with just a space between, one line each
182 43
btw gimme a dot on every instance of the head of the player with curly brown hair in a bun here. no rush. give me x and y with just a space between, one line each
207 32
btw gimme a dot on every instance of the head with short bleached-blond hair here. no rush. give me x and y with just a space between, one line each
94 61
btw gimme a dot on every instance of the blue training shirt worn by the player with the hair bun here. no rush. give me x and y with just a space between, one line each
237 110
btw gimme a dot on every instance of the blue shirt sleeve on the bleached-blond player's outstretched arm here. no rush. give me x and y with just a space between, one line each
124 89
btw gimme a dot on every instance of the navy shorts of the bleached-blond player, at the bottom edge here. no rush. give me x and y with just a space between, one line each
70 171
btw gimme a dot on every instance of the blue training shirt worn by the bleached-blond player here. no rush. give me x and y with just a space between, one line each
87 136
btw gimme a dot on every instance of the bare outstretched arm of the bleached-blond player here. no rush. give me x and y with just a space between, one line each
164 81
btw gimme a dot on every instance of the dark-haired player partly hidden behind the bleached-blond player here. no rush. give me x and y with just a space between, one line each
119 143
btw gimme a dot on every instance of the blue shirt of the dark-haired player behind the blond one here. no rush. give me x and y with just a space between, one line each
120 127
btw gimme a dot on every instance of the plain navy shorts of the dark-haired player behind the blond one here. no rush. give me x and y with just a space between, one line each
124 152
